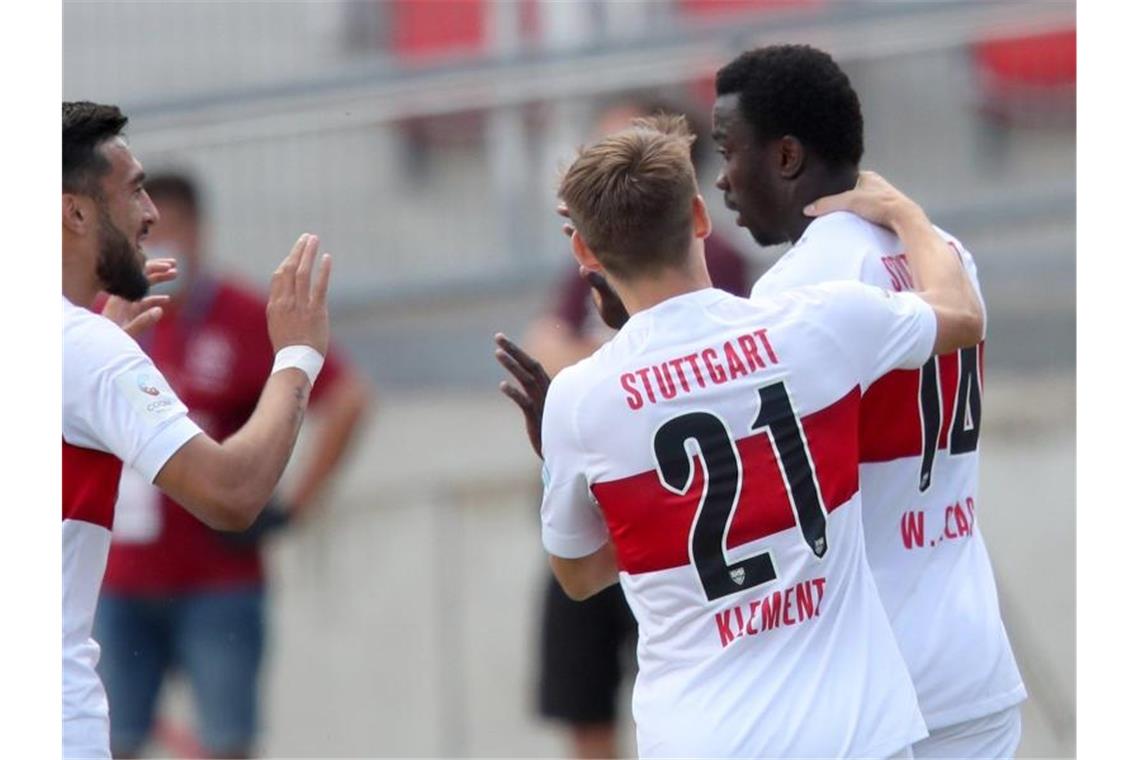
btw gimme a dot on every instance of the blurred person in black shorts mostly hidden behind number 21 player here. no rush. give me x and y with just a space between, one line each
588 647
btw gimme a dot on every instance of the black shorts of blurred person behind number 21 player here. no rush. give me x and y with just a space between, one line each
585 649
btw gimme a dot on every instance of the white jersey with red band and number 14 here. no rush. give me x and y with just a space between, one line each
919 477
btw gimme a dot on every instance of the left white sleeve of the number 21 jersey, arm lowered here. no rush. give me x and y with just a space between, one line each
573 526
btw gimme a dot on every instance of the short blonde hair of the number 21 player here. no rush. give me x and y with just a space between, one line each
631 195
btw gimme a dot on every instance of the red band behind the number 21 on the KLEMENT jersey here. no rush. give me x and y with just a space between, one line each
650 526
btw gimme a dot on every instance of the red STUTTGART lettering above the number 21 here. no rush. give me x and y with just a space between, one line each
732 359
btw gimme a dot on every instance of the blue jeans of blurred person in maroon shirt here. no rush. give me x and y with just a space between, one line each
215 639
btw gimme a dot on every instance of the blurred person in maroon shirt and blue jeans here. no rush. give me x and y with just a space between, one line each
178 595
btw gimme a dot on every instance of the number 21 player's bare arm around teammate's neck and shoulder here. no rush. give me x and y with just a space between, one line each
940 276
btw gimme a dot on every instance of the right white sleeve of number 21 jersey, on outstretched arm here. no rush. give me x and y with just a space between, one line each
880 330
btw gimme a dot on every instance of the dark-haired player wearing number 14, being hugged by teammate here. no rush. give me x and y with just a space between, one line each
791 128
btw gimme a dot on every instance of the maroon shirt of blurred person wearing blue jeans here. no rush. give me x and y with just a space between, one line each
215 352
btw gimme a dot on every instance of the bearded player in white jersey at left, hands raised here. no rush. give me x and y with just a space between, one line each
118 410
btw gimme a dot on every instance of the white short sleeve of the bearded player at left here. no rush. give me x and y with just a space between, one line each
117 401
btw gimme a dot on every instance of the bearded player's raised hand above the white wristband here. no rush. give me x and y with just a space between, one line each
298 312
